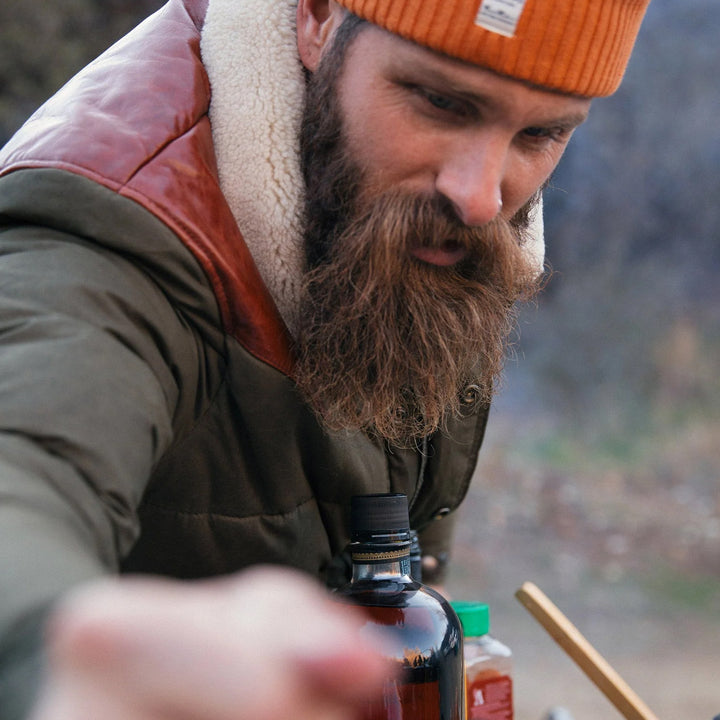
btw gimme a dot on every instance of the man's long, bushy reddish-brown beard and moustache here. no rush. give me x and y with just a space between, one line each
387 343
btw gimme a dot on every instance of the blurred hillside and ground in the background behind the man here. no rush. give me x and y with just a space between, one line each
600 477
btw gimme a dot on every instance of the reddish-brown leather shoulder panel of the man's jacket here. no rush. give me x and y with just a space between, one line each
135 120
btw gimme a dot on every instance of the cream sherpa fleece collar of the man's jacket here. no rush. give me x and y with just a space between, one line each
257 84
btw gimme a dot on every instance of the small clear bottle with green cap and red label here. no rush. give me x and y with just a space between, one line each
488 665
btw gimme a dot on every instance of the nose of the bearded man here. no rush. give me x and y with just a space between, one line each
471 181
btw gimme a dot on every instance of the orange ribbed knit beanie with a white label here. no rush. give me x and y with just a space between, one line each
574 46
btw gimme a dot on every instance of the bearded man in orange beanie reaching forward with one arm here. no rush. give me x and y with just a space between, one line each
257 259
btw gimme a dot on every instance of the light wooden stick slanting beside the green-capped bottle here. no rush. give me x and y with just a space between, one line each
583 653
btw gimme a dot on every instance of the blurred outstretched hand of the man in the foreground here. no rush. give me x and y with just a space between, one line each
264 644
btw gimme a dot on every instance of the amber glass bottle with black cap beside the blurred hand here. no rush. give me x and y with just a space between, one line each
424 633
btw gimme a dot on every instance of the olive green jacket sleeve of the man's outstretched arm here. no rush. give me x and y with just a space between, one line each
97 370
